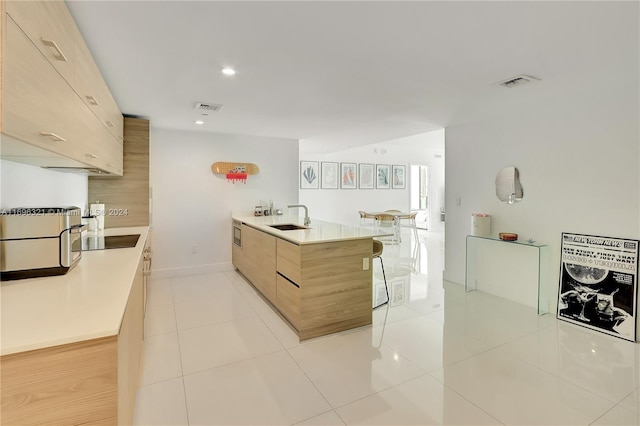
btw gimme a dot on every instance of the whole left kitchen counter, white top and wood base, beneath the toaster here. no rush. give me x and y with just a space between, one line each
71 344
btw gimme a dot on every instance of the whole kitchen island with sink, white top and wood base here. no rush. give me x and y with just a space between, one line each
318 277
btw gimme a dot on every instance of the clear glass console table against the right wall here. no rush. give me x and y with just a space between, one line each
534 254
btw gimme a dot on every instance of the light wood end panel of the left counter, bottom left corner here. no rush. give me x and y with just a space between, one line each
62 385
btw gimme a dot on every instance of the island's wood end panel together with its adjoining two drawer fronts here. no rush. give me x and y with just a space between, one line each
333 292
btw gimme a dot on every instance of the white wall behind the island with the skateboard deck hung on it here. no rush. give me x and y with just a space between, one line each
192 206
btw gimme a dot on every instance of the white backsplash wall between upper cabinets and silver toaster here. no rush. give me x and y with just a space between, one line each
24 185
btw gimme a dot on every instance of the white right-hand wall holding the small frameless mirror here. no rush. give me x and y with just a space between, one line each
579 159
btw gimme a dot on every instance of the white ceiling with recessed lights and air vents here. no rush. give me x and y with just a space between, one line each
336 73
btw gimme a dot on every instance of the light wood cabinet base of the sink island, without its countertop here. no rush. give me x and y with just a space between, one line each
319 288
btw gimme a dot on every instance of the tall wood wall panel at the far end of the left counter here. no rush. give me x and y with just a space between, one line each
126 198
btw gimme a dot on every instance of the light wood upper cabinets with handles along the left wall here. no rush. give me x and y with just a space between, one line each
57 110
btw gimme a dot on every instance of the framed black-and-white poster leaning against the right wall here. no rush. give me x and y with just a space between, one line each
598 283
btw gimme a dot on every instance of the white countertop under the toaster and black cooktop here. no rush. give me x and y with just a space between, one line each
86 303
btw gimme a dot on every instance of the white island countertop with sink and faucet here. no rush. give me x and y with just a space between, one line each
318 232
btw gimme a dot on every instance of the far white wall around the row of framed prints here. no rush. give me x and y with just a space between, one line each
342 205
